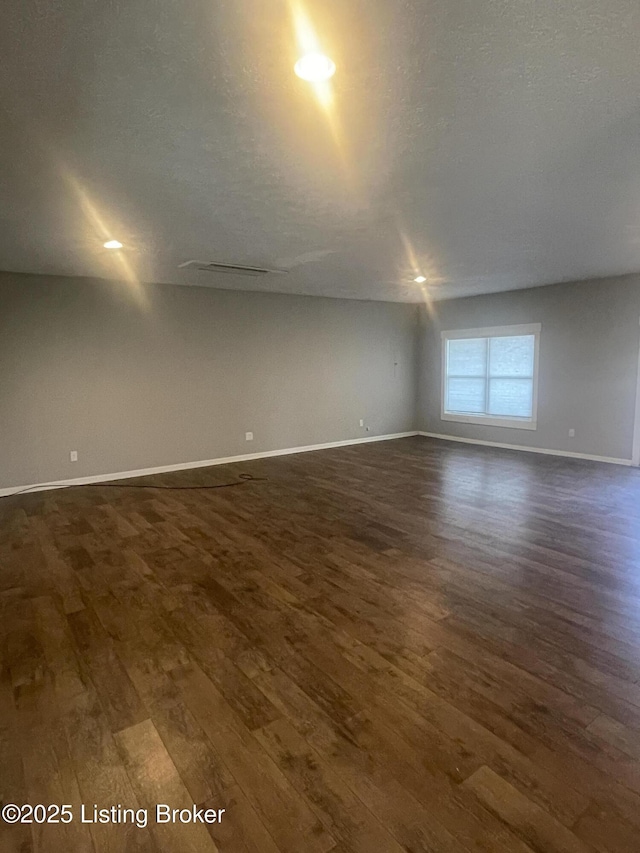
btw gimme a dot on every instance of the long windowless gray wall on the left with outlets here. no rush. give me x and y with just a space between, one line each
136 378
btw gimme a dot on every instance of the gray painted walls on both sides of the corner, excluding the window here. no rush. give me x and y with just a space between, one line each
167 375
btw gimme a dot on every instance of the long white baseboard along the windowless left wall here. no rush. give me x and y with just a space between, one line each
186 466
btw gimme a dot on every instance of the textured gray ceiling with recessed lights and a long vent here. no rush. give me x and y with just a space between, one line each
493 144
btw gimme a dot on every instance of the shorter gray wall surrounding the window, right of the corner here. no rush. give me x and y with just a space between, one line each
588 363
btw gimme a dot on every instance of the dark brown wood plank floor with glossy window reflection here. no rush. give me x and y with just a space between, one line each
404 646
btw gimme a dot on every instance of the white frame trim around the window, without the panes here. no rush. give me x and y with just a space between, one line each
492 332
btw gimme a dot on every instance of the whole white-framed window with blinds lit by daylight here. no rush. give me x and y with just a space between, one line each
490 376
